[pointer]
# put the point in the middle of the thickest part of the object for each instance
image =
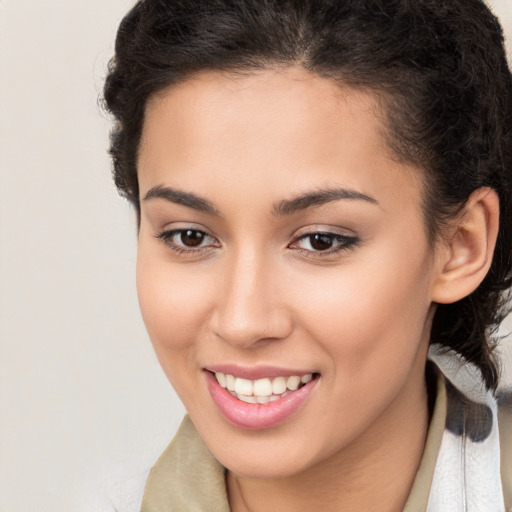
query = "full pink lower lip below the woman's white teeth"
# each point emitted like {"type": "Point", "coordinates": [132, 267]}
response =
{"type": "Point", "coordinates": [257, 416]}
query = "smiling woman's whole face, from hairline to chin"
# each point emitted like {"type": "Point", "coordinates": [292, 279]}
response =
{"type": "Point", "coordinates": [280, 241]}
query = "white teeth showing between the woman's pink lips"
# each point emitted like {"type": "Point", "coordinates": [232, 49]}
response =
{"type": "Point", "coordinates": [262, 391]}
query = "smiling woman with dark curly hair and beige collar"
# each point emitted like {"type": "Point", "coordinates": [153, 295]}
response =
{"type": "Point", "coordinates": [323, 190]}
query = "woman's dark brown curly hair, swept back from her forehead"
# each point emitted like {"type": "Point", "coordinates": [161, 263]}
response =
{"type": "Point", "coordinates": [438, 65]}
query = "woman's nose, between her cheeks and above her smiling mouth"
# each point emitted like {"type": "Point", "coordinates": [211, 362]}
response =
{"type": "Point", "coordinates": [250, 307]}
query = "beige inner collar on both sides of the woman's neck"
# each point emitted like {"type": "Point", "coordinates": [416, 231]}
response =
{"type": "Point", "coordinates": [188, 478]}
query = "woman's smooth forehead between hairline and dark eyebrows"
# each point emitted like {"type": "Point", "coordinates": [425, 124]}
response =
{"type": "Point", "coordinates": [285, 129]}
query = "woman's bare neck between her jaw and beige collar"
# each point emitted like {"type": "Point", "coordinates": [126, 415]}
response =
{"type": "Point", "coordinates": [375, 472]}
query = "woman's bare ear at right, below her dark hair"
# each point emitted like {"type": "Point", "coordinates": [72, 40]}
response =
{"type": "Point", "coordinates": [465, 255]}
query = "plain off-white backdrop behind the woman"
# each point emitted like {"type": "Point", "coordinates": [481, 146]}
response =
{"type": "Point", "coordinates": [83, 401]}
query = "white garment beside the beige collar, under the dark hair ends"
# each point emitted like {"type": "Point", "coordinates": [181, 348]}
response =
{"type": "Point", "coordinates": [467, 473]}
